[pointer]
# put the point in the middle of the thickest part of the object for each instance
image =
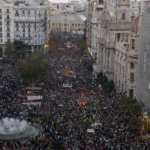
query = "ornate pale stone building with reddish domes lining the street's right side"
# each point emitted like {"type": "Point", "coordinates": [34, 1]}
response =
{"type": "Point", "coordinates": [115, 46]}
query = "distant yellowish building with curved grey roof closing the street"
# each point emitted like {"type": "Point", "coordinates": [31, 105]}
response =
{"type": "Point", "coordinates": [68, 22]}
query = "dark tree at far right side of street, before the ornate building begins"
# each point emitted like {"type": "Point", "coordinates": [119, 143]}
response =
{"type": "Point", "coordinates": [80, 42]}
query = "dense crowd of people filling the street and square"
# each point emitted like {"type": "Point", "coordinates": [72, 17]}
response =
{"type": "Point", "coordinates": [79, 115]}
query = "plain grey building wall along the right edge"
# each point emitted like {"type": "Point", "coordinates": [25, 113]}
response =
{"type": "Point", "coordinates": [143, 88]}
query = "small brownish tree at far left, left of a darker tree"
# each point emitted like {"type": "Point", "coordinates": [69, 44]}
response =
{"type": "Point", "coordinates": [9, 48]}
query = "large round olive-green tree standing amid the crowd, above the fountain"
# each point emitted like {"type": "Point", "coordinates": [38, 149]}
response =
{"type": "Point", "coordinates": [33, 67]}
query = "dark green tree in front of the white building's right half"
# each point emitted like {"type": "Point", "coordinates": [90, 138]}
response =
{"type": "Point", "coordinates": [20, 49]}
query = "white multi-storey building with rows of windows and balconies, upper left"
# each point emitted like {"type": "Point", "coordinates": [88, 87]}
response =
{"type": "Point", "coordinates": [25, 21]}
